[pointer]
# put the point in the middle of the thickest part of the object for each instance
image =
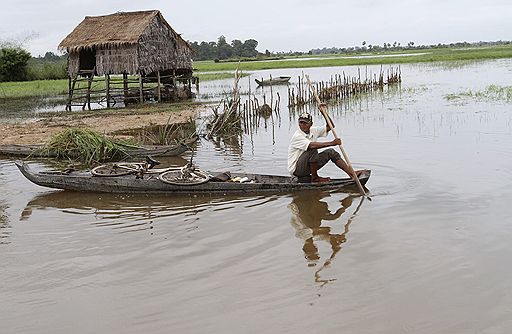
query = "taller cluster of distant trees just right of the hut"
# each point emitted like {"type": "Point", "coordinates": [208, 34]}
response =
{"type": "Point", "coordinates": [223, 50]}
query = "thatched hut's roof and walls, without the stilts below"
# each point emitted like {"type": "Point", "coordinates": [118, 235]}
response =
{"type": "Point", "coordinates": [131, 42]}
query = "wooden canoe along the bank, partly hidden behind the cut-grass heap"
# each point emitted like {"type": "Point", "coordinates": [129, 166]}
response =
{"type": "Point", "coordinates": [35, 151]}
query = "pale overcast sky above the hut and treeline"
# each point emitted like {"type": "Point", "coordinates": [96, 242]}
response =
{"type": "Point", "coordinates": [278, 25]}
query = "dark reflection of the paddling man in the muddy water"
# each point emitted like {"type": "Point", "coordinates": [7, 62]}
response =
{"type": "Point", "coordinates": [309, 213]}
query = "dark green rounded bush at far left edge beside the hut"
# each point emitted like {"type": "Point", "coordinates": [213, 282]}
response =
{"type": "Point", "coordinates": [13, 63]}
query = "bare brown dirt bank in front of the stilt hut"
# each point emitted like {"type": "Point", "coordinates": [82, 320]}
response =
{"type": "Point", "coordinates": [108, 122]}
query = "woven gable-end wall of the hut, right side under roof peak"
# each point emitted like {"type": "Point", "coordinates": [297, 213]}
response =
{"type": "Point", "coordinates": [160, 49]}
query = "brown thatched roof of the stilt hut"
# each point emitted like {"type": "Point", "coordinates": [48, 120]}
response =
{"type": "Point", "coordinates": [122, 28]}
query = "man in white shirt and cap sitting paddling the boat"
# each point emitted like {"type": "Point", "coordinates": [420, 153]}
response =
{"type": "Point", "coordinates": [304, 160]}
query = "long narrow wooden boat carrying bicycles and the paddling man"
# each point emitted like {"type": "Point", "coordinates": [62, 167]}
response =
{"type": "Point", "coordinates": [257, 183]}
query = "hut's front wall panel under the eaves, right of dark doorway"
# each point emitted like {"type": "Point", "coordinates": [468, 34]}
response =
{"type": "Point", "coordinates": [116, 59]}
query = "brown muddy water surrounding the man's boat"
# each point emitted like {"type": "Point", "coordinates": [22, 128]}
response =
{"type": "Point", "coordinates": [430, 253]}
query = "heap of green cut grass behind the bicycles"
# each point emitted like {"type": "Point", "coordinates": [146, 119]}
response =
{"type": "Point", "coordinates": [86, 146]}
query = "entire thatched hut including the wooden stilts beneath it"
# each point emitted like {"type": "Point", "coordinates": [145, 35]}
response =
{"type": "Point", "coordinates": [141, 46]}
